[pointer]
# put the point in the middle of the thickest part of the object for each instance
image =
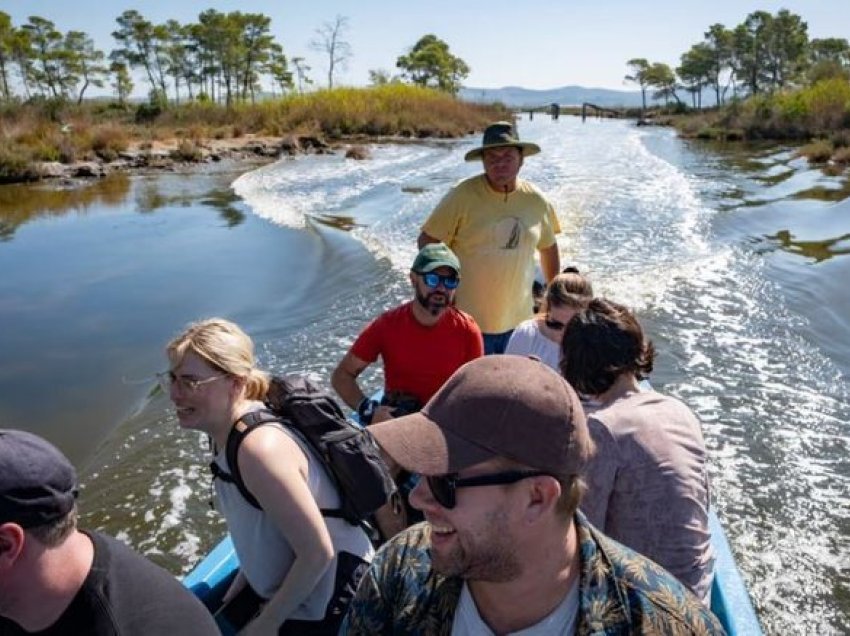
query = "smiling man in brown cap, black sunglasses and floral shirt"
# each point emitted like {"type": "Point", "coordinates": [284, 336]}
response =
{"type": "Point", "coordinates": [504, 548]}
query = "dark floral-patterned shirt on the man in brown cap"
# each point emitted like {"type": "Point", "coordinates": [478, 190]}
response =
{"type": "Point", "coordinates": [621, 592]}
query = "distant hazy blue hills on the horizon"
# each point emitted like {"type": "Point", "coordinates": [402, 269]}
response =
{"type": "Point", "coordinates": [518, 97]}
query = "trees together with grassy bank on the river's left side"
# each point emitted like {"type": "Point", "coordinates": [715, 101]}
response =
{"type": "Point", "coordinates": [207, 80]}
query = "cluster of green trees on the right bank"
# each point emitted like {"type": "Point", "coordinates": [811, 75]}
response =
{"type": "Point", "coordinates": [763, 54]}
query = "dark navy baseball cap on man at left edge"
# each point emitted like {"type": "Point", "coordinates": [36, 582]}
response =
{"type": "Point", "coordinates": [38, 484]}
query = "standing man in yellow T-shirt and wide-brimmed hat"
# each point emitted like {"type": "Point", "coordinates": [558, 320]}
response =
{"type": "Point", "coordinates": [495, 222]}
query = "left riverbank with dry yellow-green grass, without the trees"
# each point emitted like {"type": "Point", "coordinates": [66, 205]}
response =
{"type": "Point", "coordinates": [59, 140]}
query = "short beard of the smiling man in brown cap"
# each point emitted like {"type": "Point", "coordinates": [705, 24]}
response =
{"type": "Point", "coordinates": [488, 555]}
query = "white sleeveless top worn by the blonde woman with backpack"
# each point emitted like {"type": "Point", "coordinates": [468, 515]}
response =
{"type": "Point", "coordinates": [264, 554]}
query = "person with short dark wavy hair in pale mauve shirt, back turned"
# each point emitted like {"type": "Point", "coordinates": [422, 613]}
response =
{"type": "Point", "coordinates": [647, 483]}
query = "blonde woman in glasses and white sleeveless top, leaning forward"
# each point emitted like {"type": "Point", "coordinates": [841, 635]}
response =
{"type": "Point", "coordinates": [297, 568]}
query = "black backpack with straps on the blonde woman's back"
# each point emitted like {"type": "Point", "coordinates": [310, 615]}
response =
{"type": "Point", "coordinates": [348, 452]}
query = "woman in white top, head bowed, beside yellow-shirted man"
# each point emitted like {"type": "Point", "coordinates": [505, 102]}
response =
{"type": "Point", "coordinates": [541, 336]}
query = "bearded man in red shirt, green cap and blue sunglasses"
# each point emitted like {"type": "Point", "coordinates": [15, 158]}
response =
{"type": "Point", "coordinates": [421, 343]}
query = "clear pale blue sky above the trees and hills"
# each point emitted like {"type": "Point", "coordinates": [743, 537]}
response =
{"type": "Point", "coordinates": [537, 44]}
